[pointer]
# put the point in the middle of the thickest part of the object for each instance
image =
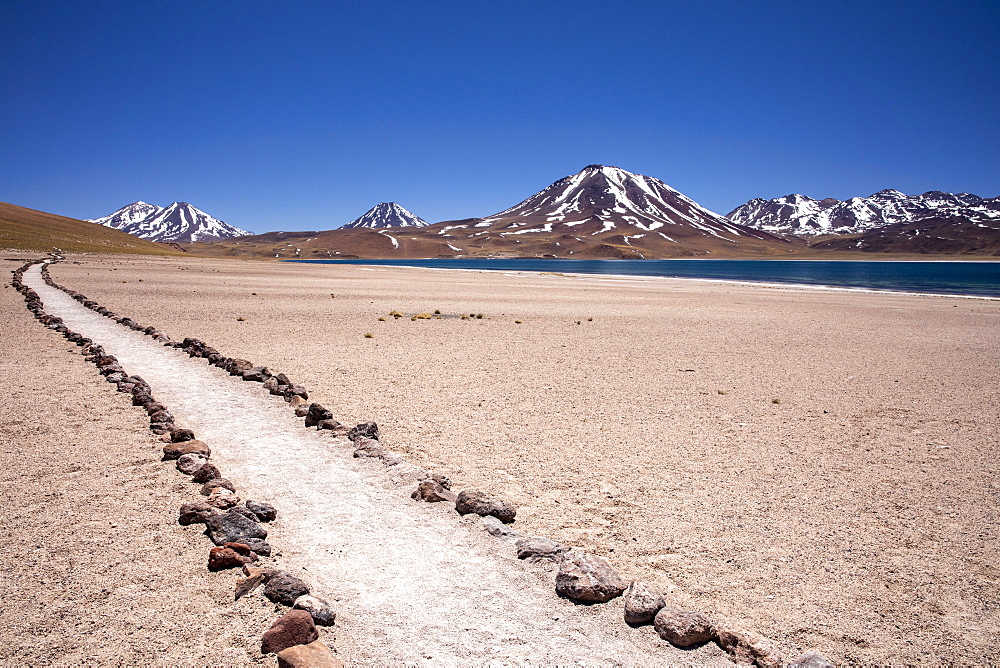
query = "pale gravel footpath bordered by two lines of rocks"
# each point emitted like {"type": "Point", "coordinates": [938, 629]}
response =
{"type": "Point", "coordinates": [413, 583]}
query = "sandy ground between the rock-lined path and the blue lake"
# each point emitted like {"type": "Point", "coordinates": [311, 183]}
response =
{"type": "Point", "coordinates": [818, 467]}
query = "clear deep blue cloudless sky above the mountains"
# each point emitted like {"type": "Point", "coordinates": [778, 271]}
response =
{"type": "Point", "coordinates": [302, 115]}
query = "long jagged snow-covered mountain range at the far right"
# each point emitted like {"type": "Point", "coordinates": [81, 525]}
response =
{"type": "Point", "coordinates": [801, 215]}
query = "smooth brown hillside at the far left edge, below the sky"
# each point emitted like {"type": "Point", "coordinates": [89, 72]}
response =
{"type": "Point", "coordinates": [27, 229]}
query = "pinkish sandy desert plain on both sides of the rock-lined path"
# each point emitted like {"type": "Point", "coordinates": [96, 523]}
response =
{"type": "Point", "coordinates": [815, 466]}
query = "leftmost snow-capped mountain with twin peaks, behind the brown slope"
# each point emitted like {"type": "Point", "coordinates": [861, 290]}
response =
{"type": "Point", "coordinates": [179, 222]}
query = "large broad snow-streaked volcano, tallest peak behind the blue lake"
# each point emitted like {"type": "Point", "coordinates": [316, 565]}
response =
{"type": "Point", "coordinates": [601, 199]}
